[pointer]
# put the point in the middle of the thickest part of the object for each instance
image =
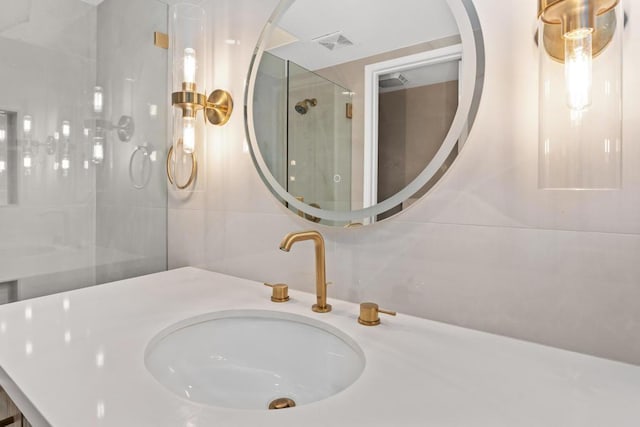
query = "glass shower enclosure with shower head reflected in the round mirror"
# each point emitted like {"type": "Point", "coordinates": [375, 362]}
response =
{"type": "Point", "coordinates": [305, 133]}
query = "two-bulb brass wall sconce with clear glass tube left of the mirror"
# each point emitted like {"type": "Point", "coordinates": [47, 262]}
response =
{"type": "Point", "coordinates": [188, 47]}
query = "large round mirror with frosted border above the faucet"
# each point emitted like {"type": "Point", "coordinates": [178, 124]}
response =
{"type": "Point", "coordinates": [356, 108]}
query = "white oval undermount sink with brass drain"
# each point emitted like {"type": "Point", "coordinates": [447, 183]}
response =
{"type": "Point", "coordinates": [249, 359]}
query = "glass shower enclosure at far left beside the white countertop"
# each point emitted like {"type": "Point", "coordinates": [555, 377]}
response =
{"type": "Point", "coordinates": [83, 196]}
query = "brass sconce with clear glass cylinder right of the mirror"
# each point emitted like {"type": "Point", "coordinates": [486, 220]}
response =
{"type": "Point", "coordinates": [580, 94]}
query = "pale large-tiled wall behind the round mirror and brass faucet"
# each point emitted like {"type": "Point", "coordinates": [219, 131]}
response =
{"type": "Point", "coordinates": [485, 249]}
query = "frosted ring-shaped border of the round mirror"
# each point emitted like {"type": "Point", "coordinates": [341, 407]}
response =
{"type": "Point", "coordinates": [473, 66]}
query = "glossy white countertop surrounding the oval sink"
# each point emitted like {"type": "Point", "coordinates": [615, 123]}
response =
{"type": "Point", "coordinates": [78, 358]}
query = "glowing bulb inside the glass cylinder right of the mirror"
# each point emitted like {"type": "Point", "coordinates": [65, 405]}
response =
{"type": "Point", "coordinates": [578, 68]}
